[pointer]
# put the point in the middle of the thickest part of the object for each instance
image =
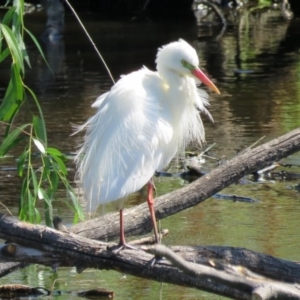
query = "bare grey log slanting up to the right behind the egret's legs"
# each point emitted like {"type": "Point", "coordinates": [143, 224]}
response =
{"type": "Point", "coordinates": [137, 219]}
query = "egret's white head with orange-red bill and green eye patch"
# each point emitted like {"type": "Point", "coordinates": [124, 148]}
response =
{"type": "Point", "coordinates": [182, 59]}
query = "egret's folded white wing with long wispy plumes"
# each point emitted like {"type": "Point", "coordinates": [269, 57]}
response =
{"type": "Point", "coordinates": [124, 139]}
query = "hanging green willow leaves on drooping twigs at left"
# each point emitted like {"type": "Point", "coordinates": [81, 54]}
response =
{"type": "Point", "coordinates": [40, 180]}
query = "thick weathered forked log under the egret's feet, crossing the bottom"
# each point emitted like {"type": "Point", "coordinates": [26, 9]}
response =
{"type": "Point", "coordinates": [232, 272]}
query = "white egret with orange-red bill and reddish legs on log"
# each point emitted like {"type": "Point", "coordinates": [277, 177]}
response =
{"type": "Point", "coordinates": [140, 124]}
